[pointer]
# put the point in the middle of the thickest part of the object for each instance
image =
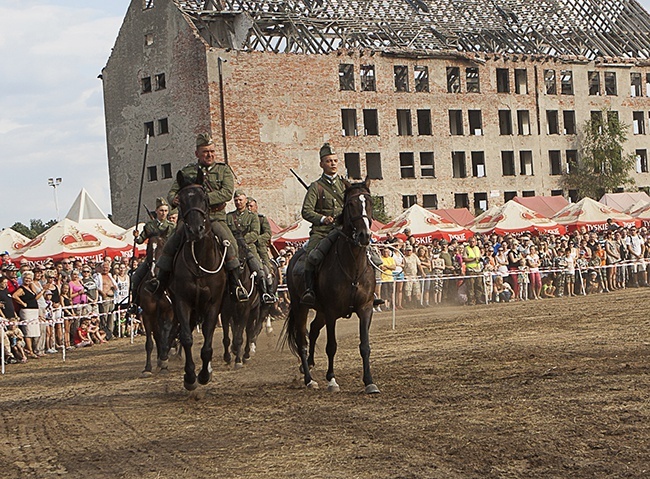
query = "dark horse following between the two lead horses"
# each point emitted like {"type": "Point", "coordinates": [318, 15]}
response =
{"type": "Point", "coordinates": [240, 317]}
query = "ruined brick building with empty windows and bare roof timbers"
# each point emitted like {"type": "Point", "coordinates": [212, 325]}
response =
{"type": "Point", "coordinates": [447, 103]}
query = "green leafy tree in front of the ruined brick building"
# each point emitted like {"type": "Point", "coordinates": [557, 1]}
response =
{"type": "Point", "coordinates": [603, 166]}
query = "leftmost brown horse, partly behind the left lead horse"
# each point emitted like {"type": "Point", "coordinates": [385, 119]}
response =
{"type": "Point", "coordinates": [157, 312]}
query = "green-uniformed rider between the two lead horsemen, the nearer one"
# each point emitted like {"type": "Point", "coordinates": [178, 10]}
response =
{"type": "Point", "coordinates": [245, 225]}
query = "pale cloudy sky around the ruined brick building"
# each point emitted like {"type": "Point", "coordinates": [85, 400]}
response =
{"type": "Point", "coordinates": [51, 104]}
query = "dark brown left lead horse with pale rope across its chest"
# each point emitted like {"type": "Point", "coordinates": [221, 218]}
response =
{"type": "Point", "coordinates": [198, 280]}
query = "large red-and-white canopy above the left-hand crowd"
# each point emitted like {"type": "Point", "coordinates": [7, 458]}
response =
{"type": "Point", "coordinates": [69, 239]}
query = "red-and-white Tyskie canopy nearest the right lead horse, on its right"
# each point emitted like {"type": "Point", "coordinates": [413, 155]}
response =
{"type": "Point", "coordinates": [425, 226]}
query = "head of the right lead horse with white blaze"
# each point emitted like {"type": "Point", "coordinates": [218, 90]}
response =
{"type": "Point", "coordinates": [357, 212]}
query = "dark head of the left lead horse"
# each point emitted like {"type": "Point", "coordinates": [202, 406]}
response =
{"type": "Point", "coordinates": [193, 206]}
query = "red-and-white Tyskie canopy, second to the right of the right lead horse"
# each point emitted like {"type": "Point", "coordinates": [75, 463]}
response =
{"type": "Point", "coordinates": [514, 218]}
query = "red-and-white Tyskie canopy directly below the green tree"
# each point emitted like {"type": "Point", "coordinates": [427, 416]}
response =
{"type": "Point", "coordinates": [592, 215]}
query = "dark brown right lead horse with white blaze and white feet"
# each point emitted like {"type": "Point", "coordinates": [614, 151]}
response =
{"type": "Point", "coordinates": [345, 285]}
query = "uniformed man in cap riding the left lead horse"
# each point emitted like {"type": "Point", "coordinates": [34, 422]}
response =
{"type": "Point", "coordinates": [219, 183]}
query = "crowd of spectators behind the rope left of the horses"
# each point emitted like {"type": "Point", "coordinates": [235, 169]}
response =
{"type": "Point", "coordinates": [67, 304]}
